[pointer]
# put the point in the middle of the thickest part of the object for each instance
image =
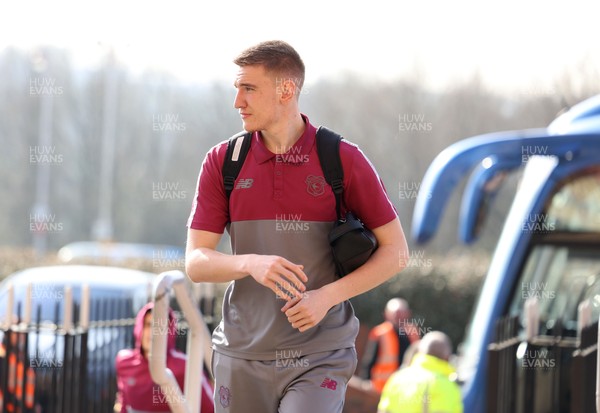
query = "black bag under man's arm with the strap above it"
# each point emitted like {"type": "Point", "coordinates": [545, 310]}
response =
{"type": "Point", "coordinates": [351, 242]}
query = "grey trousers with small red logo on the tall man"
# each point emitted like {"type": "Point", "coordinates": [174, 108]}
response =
{"type": "Point", "coordinates": [290, 384]}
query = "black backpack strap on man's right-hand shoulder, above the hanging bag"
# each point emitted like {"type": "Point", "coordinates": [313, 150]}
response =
{"type": "Point", "coordinates": [328, 149]}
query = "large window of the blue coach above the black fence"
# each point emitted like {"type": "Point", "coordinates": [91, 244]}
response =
{"type": "Point", "coordinates": [563, 265]}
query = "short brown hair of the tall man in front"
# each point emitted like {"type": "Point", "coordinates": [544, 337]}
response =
{"type": "Point", "coordinates": [276, 56]}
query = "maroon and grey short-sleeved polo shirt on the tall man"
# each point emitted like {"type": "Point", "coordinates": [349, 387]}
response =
{"type": "Point", "coordinates": [281, 205]}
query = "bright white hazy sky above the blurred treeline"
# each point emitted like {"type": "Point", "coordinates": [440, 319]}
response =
{"type": "Point", "coordinates": [511, 45]}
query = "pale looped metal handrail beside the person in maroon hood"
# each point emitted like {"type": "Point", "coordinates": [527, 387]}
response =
{"type": "Point", "coordinates": [198, 336]}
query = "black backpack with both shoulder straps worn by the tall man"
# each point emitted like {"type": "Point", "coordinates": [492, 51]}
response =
{"type": "Point", "coordinates": [351, 243]}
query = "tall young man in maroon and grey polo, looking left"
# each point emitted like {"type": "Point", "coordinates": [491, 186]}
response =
{"type": "Point", "coordinates": [286, 341]}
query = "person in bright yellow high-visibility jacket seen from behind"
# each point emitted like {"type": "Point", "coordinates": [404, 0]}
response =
{"type": "Point", "coordinates": [427, 385]}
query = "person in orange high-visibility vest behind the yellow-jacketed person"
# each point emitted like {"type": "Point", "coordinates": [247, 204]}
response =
{"type": "Point", "coordinates": [387, 344]}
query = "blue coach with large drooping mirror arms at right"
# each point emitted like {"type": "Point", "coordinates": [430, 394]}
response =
{"type": "Point", "coordinates": [531, 343]}
